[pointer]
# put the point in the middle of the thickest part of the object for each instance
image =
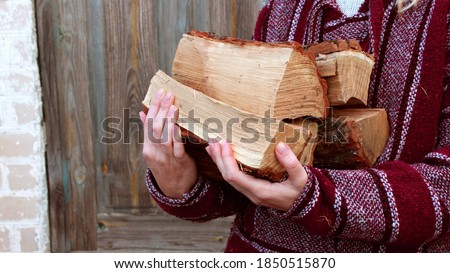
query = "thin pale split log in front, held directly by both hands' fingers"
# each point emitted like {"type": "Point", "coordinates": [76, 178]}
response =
{"type": "Point", "coordinates": [254, 138]}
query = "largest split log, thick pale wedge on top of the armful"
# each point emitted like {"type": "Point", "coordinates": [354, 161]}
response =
{"type": "Point", "coordinates": [257, 77]}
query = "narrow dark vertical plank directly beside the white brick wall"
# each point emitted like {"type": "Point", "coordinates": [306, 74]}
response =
{"type": "Point", "coordinates": [46, 24]}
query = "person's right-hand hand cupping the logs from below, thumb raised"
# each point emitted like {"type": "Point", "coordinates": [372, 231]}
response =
{"type": "Point", "coordinates": [279, 196]}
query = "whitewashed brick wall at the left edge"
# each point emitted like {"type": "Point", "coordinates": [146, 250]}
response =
{"type": "Point", "coordinates": [23, 188]}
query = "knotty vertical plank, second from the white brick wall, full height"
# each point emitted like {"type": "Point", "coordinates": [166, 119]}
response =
{"type": "Point", "coordinates": [78, 157]}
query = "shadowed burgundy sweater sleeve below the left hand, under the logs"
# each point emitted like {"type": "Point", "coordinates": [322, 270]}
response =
{"type": "Point", "coordinates": [207, 200]}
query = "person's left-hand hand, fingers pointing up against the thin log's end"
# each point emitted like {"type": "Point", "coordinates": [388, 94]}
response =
{"type": "Point", "coordinates": [174, 170]}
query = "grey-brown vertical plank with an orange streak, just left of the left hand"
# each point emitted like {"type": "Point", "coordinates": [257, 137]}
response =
{"type": "Point", "coordinates": [130, 61]}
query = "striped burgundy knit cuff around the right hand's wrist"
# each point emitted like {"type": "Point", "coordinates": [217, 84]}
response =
{"type": "Point", "coordinates": [305, 201]}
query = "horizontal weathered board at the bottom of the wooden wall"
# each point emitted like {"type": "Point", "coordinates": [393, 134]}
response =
{"type": "Point", "coordinates": [160, 233]}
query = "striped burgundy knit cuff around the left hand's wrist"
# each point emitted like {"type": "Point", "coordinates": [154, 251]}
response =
{"type": "Point", "coordinates": [188, 199]}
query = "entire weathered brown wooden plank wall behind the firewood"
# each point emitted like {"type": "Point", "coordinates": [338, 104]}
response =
{"type": "Point", "coordinates": [97, 58]}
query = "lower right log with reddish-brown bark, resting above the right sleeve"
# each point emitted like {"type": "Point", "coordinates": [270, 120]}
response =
{"type": "Point", "coordinates": [351, 139]}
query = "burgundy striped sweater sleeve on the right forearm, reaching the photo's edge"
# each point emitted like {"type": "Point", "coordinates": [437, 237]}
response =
{"type": "Point", "coordinates": [395, 203]}
